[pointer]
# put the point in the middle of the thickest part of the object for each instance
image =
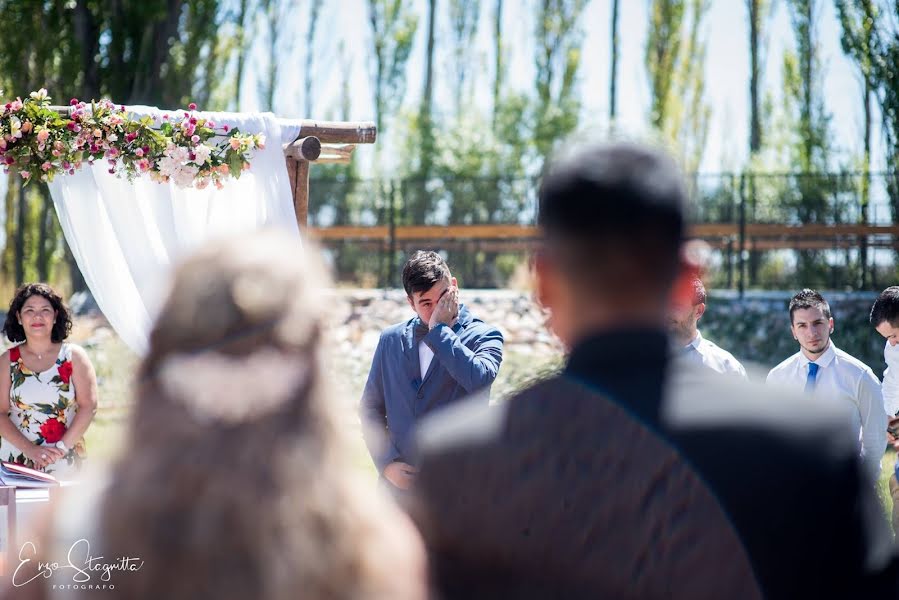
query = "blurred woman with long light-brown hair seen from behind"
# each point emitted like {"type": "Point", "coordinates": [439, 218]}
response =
{"type": "Point", "coordinates": [236, 479]}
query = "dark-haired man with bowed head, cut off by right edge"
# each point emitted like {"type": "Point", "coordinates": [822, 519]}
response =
{"type": "Point", "coordinates": [885, 319]}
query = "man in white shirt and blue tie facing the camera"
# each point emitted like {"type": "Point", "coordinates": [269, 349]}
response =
{"type": "Point", "coordinates": [821, 368]}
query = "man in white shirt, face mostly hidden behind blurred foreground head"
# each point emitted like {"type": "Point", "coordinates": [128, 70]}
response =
{"type": "Point", "coordinates": [688, 341]}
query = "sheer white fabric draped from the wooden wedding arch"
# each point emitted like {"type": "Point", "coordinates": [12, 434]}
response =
{"type": "Point", "coordinates": [125, 236]}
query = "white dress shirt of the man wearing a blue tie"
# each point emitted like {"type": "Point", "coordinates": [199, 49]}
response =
{"type": "Point", "coordinates": [848, 379]}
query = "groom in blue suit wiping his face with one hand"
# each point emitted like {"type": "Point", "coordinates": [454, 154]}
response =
{"type": "Point", "coordinates": [437, 358]}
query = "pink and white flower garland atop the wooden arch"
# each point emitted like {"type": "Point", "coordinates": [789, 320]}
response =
{"type": "Point", "coordinates": [39, 143]}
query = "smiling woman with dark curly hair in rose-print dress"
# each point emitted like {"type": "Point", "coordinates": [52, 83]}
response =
{"type": "Point", "coordinates": [52, 388]}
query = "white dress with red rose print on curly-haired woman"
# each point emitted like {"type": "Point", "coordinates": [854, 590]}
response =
{"type": "Point", "coordinates": [42, 405]}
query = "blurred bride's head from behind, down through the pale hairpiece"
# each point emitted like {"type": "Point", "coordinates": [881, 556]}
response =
{"type": "Point", "coordinates": [236, 344]}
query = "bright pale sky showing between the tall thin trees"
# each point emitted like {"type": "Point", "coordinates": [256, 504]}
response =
{"type": "Point", "coordinates": [727, 69]}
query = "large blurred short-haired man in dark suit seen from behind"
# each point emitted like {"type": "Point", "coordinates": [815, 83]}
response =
{"type": "Point", "coordinates": [573, 481]}
